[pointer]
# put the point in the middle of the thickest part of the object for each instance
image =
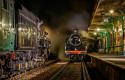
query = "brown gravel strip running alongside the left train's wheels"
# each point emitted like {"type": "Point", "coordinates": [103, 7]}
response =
{"type": "Point", "coordinates": [28, 75]}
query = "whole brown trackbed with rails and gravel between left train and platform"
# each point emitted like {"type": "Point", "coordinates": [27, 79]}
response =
{"type": "Point", "coordinates": [60, 71]}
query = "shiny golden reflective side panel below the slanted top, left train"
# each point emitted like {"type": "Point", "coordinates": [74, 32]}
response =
{"type": "Point", "coordinates": [26, 34]}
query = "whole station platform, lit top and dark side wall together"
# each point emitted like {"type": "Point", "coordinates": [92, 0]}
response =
{"type": "Point", "coordinates": [111, 66]}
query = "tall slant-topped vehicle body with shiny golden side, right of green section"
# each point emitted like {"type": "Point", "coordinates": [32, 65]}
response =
{"type": "Point", "coordinates": [26, 28]}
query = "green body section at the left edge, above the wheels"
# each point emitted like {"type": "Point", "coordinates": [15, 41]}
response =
{"type": "Point", "coordinates": [7, 34]}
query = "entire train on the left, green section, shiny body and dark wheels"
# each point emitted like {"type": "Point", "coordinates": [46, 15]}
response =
{"type": "Point", "coordinates": [23, 46]}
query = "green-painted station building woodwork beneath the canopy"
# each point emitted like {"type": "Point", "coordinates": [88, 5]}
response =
{"type": "Point", "coordinates": [108, 28]}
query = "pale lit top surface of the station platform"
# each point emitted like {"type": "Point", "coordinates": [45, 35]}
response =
{"type": "Point", "coordinates": [116, 60]}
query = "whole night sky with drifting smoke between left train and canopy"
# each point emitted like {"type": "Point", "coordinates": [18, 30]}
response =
{"type": "Point", "coordinates": [61, 16]}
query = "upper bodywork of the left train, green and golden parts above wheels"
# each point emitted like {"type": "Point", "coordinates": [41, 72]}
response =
{"type": "Point", "coordinates": [18, 26]}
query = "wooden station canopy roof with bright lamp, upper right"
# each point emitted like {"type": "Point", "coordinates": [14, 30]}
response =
{"type": "Point", "coordinates": [105, 8]}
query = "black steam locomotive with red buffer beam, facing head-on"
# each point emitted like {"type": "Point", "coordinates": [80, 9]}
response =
{"type": "Point", "coordinates": [75, 46]}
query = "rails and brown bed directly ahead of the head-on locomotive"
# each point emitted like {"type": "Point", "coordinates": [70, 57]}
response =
{"type": "Point", "coordinates": [72, 71]}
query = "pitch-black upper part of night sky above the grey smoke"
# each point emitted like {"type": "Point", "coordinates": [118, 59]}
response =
{"type": "Point", "coordinates": [49, 10]}
